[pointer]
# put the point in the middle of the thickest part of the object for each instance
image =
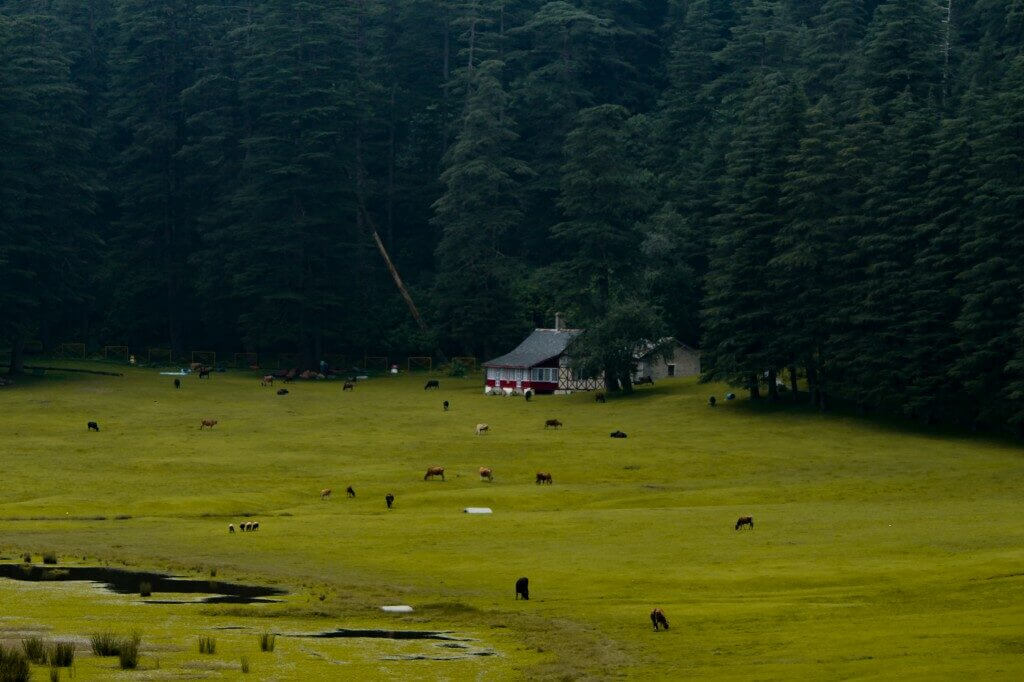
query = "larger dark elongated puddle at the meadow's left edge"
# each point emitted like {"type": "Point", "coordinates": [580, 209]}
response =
{"type": "Point", "coordinates": [161, 586]}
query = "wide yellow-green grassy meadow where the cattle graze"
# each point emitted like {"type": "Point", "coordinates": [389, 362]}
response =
{"type": "Point", "coordinates": [879, 551]}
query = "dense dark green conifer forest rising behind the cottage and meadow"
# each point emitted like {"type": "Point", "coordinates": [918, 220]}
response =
{"type": "Point", "coordinates": [830, 190]}
